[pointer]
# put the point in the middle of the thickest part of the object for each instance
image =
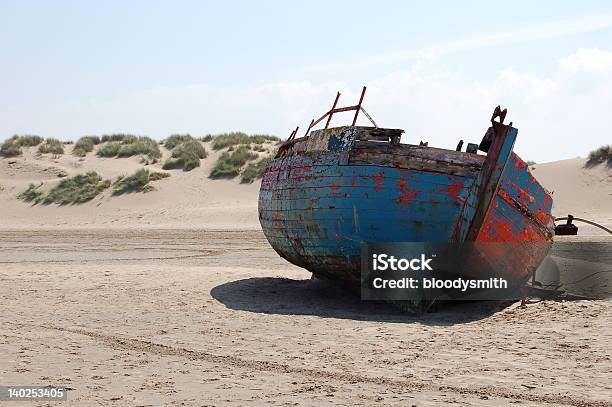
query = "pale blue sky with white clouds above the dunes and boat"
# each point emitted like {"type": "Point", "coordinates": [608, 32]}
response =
{"type": "Point", "coordinates": [69, 68]}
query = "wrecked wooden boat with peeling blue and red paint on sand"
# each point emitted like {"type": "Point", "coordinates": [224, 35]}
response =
{"type": "Point", "coordinates": [330, 191]}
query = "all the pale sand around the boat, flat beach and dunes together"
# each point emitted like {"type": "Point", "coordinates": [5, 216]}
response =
{"type": "Point", "coordinates": [175, 298]}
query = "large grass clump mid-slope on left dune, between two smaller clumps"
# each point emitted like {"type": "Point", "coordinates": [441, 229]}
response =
{"type": "Point", "coordinates": [77, 189]}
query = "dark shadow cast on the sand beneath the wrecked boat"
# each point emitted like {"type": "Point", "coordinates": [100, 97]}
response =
{"type": "Point", "coordinates": [283, 296]}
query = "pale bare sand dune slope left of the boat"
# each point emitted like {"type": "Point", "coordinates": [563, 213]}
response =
{"type": "Point", "coordinates": [185, 199]}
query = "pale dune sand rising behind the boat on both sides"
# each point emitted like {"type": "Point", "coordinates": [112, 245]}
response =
{"type": "Point", "coordinates": [191, 199]}
